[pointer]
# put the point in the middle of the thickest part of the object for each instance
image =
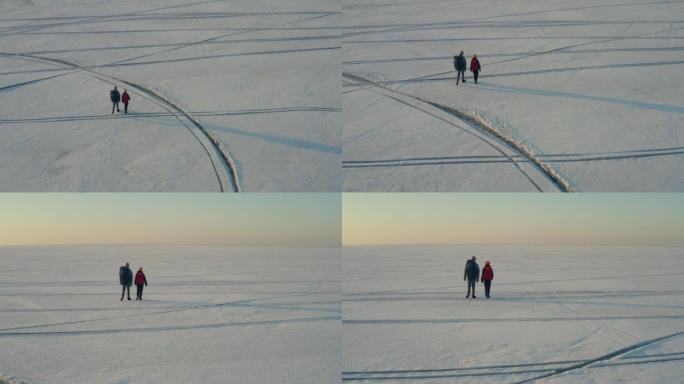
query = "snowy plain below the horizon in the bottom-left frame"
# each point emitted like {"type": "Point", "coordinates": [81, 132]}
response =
{"type": "Point", "coordinates": [209, 315]}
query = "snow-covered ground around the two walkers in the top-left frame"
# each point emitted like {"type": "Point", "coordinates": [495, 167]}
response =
{"type": "Point", "coordinates": [261, 77]}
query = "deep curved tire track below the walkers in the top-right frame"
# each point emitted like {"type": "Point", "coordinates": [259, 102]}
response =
{"type": "Point", "coordinates": [477, 122]}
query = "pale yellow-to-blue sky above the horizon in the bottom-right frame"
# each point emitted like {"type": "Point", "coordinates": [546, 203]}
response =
{"type": "Point", "coordinates": [513, 219]}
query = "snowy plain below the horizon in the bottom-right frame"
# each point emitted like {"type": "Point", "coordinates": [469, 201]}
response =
{"type": "Point", "coordinates": [574, 314]}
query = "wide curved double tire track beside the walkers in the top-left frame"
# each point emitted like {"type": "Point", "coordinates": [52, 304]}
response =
{"type": "Point", "coordinates": [225, 158]}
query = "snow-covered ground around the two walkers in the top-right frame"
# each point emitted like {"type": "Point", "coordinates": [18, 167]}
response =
{"type": "Point", "coordinates": [593, 88]}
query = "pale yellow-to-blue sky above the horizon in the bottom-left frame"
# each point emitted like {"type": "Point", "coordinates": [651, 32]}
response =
{"type": "Point", "coordinates": [265, 219]}
